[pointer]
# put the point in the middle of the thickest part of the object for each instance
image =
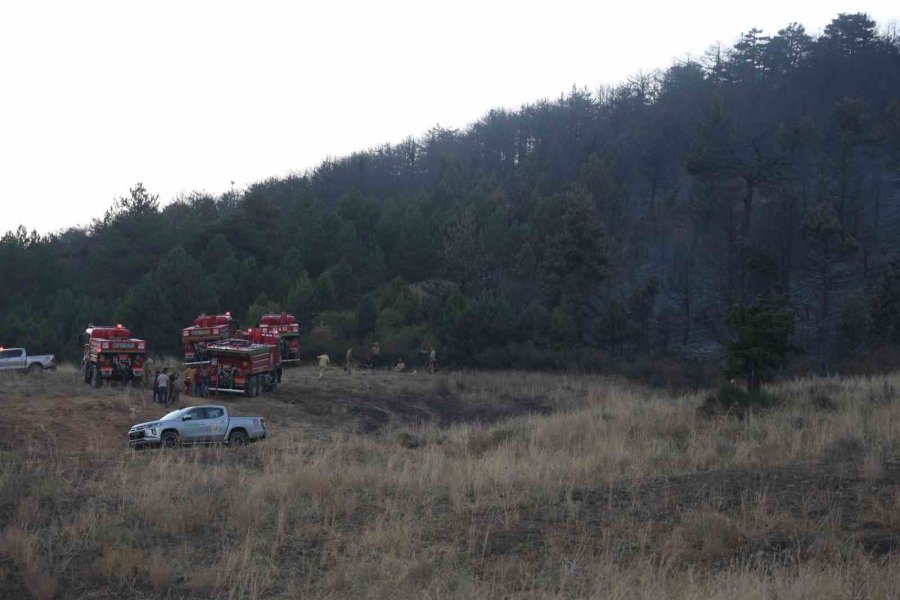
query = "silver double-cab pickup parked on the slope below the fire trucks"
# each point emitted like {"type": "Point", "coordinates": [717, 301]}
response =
{"type": "Point", "coordinates": [197, 425]}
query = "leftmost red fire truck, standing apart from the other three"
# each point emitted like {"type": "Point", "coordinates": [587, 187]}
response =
{"type": "Point", "coordinates": [111, 353]}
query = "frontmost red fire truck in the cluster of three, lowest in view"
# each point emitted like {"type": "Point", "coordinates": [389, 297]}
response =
{"type": "Point", "coordinates": [245, 366]}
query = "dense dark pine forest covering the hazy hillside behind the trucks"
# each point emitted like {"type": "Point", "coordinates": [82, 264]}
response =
{"type": "Point", "coordinates": [602, 229]}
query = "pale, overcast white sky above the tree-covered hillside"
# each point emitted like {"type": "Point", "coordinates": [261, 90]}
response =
{"type": "Point", "coordinates": [193, 95]}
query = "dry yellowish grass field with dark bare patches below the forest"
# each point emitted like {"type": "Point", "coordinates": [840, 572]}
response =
{"type": "Point", "coordinates": [464, 485]}
